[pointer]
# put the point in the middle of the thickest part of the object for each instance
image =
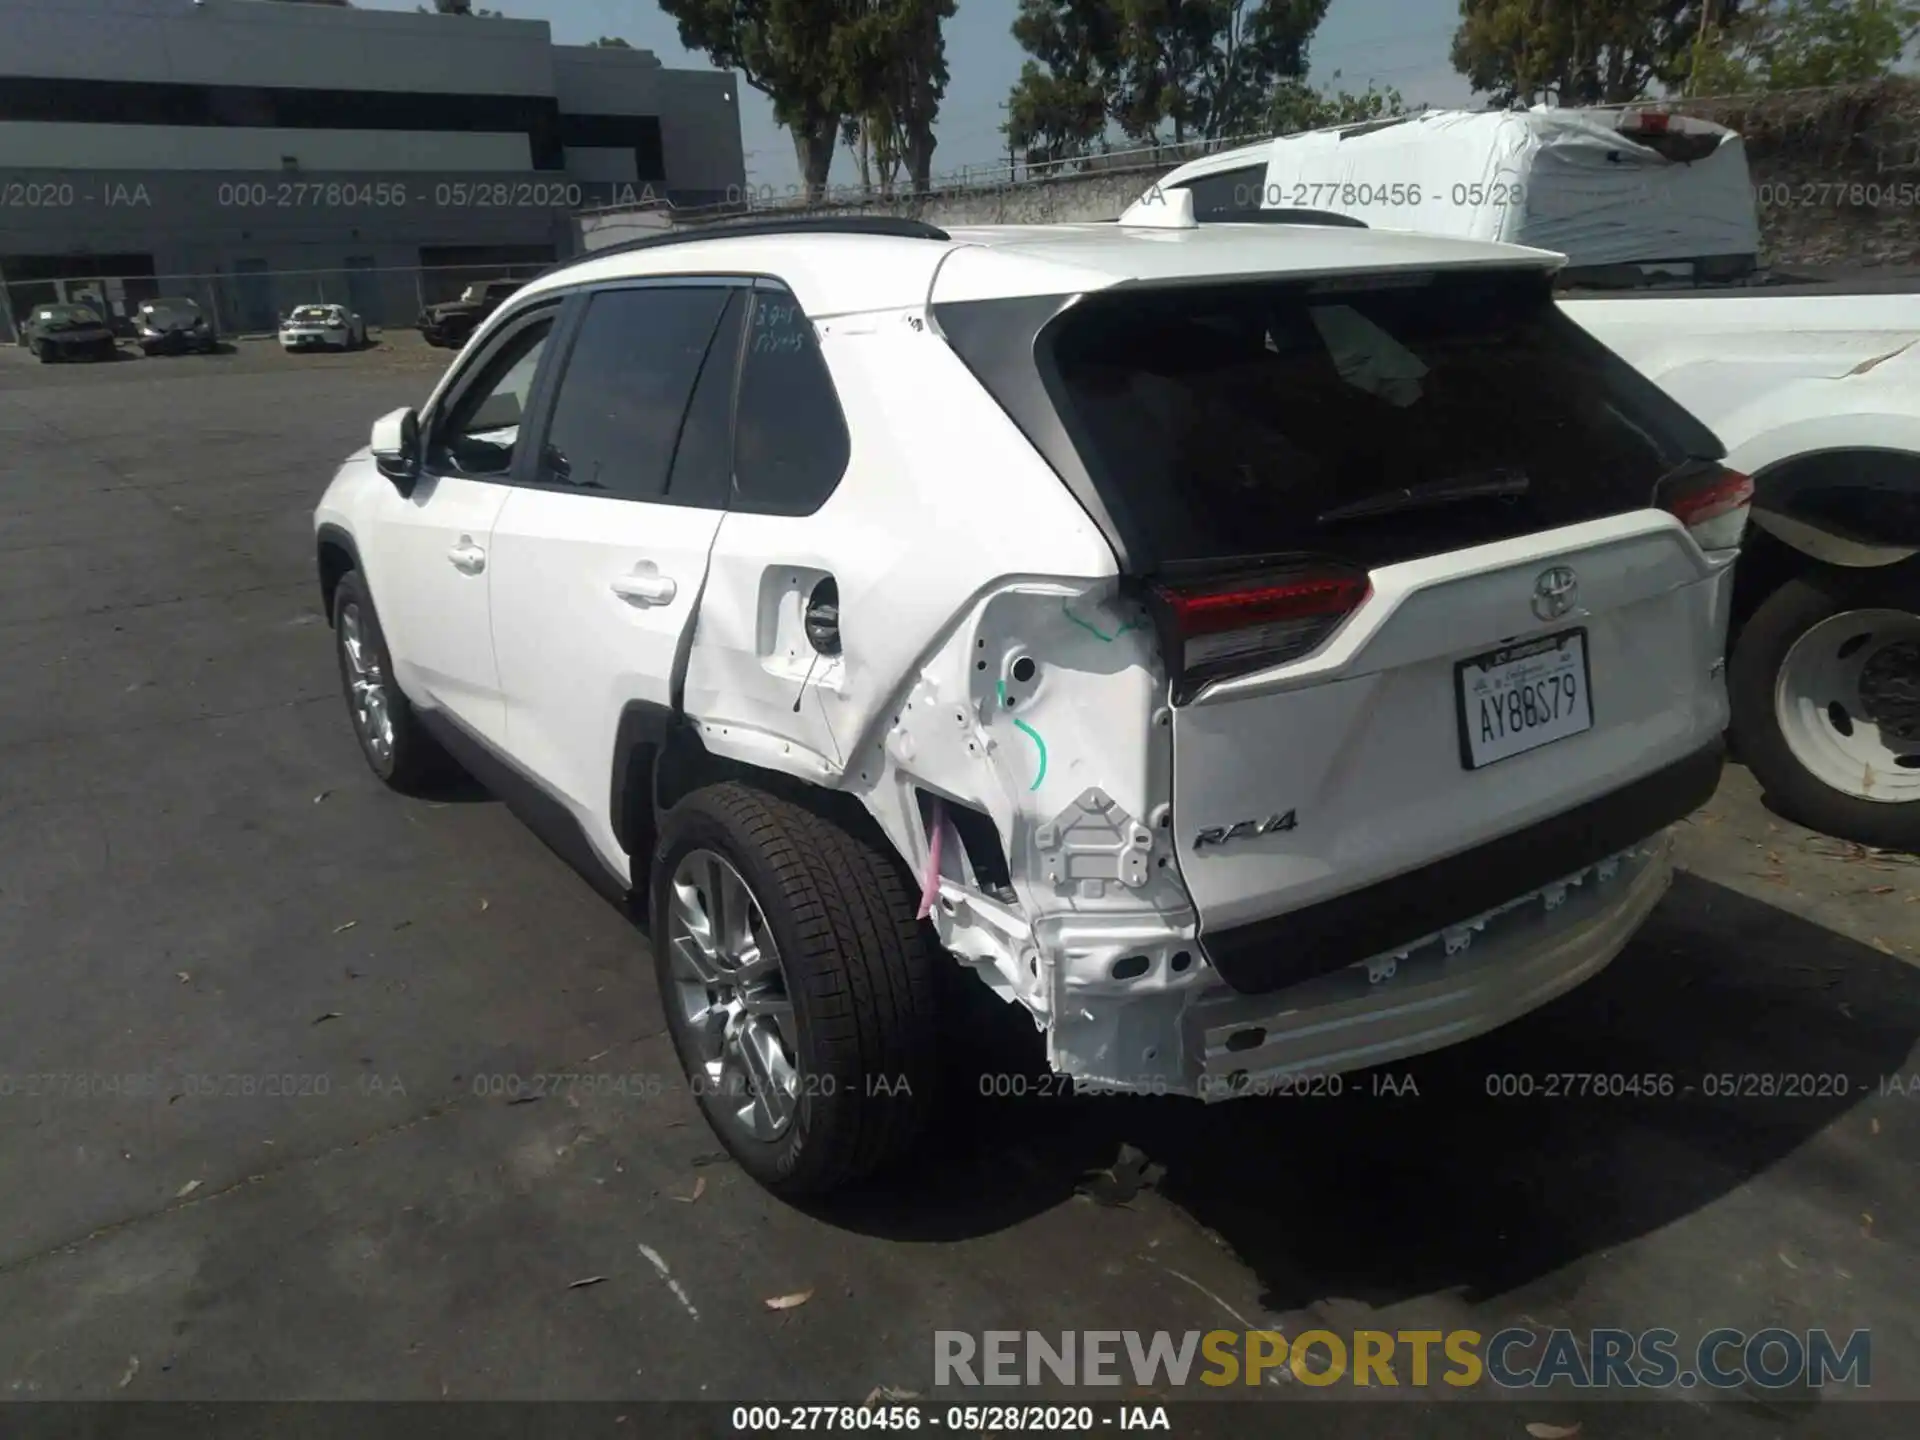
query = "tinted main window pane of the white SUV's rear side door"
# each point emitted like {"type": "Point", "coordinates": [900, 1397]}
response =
{"type": "Point", "coordinates": [627, 387]}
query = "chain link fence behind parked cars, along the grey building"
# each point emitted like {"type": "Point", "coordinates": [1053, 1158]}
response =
{"type": "Point", "coordinates": [245, 302]}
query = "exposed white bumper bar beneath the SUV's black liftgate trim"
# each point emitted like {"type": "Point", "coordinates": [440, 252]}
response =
{"type": "Point", "coordinates": [1449, 990]}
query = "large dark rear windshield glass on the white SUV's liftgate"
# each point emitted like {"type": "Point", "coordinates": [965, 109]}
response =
{"type": "Point", "coordinates": [1376, 423]}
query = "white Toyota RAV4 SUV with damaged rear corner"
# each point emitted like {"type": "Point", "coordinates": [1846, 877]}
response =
{"type": "Point", "coordinates": [1257, 650]}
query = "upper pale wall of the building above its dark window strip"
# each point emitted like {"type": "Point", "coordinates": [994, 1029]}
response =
{"type": "Point", "coordinates": [276, 45]}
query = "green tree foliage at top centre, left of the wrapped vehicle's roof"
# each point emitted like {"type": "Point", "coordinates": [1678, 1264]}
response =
{"type": "Point", "coordinates": [1153, 68]}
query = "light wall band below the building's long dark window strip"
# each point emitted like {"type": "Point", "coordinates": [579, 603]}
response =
{"type": "Point", "coordinates": [254, 149]}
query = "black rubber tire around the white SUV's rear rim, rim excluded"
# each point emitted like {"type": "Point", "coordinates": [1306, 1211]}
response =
{"type": "Point", "coordinates": [859, 971]}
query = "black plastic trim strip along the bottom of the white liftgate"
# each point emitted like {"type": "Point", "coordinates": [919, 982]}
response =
{"type": "Point", "coordinates": [1282, 951]}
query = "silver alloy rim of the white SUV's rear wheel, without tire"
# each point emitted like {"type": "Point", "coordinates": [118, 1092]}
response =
{"type": "Point", "coordinates": [732, 996]}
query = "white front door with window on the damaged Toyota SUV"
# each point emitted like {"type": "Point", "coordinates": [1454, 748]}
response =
{"type": "Point", "coordinates": [433, 567]}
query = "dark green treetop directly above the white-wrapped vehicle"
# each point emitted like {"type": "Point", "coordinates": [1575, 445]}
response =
{"type": "Point", "coordinates": [1577, 53]}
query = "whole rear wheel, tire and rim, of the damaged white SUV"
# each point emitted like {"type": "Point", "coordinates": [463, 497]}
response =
{"type": "Point", "coordinates": [798, 986]}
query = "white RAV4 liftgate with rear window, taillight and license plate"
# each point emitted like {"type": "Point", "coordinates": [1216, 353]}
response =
{"type": "Point", "coordinates": [1403, 544]}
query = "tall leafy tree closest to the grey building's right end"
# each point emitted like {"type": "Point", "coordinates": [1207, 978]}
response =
{"type": "Point", "coordinates": [788, 53]}
